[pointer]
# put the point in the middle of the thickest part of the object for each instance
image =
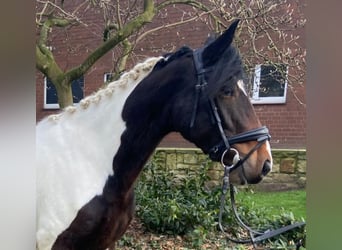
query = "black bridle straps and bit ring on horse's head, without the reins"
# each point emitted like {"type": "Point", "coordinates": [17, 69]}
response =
{"type": "Point", "coordinates": [218, 151]}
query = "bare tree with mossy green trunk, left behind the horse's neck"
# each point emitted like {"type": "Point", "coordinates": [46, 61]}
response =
{"type": "Point", "coordinates": [120, 25]}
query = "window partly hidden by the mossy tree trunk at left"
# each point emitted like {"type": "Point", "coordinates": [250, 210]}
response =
{"type": "Point", "coordinates": [50, 93]}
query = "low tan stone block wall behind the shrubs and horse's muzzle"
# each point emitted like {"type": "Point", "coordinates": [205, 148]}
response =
{"type": "Point", "coordinates": [289, 168]}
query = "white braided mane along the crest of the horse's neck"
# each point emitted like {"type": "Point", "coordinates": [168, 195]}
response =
{"type": "Point", "coordinates": [131, 78]}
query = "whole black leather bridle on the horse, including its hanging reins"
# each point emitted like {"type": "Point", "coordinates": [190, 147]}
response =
{"type": "Point", "coordinates": [218, 152]}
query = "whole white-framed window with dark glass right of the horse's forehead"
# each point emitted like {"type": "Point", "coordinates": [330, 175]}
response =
{"type": "Point", "coordinates": [269, 84]}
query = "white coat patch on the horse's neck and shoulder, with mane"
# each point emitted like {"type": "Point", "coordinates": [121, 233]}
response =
{"type": "Point", "coordinates": [74, 153]}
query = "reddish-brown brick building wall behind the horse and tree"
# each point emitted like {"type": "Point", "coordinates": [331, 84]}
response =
{"type": "Point", "coordinates": [287, 122]}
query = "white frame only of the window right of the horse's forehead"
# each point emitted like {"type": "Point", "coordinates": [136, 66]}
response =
{"type": "Point", "coordinates": [256, 99]}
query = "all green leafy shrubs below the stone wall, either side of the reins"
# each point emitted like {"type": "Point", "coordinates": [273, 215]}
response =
{"type": "Point", "coordinates": [172, 204]}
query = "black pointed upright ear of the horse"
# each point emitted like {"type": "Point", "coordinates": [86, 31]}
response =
{"type": "Point", "coordinates": [214, 50]}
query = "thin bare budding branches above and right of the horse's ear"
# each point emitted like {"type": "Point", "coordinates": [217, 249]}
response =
{"type": "Point", "coordinates": [269, 34]}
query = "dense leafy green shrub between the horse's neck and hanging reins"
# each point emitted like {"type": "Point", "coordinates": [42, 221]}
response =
{"type": "Point", "coordinates": [168, 203]}
